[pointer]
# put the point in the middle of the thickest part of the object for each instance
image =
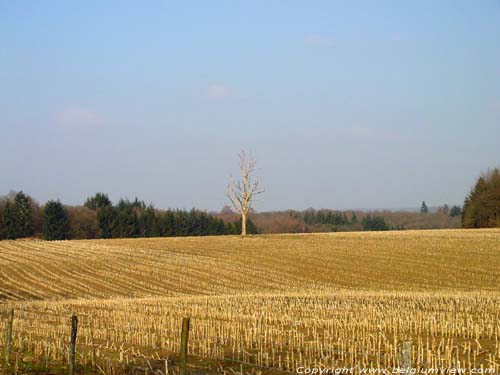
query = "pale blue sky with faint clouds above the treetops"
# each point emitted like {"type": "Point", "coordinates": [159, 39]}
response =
{"type": "Point", "coordinates": [345, 104]}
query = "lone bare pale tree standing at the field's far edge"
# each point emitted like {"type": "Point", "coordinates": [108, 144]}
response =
{"type": "Point", "coordinates": [241, 193]}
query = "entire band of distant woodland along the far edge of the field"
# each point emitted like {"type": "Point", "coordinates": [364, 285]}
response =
{"type": "Point", "coordinates": [21, 216]}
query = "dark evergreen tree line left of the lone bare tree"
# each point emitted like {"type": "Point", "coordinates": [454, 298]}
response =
{"type": "Point", "coordinates": [21, 216]}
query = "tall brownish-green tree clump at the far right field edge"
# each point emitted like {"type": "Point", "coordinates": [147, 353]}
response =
{"type": "Point", "coordinates": [482, 206]}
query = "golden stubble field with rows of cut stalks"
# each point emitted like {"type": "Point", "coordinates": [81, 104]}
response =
{"type": "Point", "coordinates": [260, 304]}
